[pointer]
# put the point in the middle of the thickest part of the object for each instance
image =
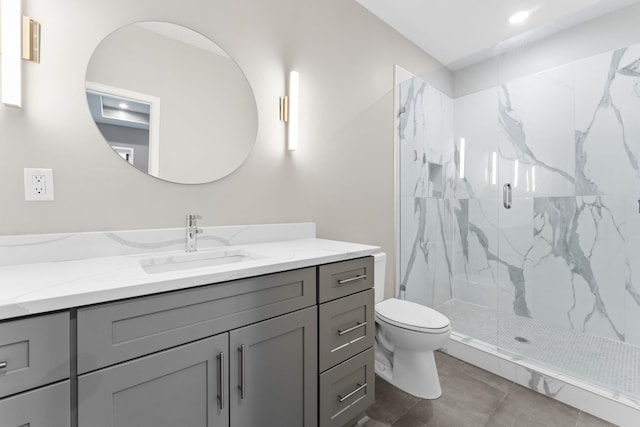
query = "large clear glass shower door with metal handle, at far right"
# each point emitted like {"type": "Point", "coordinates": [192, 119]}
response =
{"type": "Point", "coordinates": [569, 143]}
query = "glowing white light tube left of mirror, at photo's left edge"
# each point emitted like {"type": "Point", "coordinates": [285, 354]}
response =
{"type": "Point", "coordinates": [11, 48]}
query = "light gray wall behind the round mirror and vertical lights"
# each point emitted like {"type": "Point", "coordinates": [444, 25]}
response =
{"type": "Point", "coordinates": [341, 177]}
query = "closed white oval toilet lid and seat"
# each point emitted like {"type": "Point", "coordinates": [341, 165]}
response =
{"type": "Point", "coordinates": [410, 315]}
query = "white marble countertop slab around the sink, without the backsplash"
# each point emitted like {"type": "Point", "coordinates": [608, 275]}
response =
{"type": "Point", "coordinates": [27, 289]}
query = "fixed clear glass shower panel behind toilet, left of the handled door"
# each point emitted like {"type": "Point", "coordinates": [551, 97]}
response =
{"type": "Point", "coordinates": [448, 204]}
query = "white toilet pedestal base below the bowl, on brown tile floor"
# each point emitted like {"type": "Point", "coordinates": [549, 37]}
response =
{"type": "Point", "coordinates": [416, 373]}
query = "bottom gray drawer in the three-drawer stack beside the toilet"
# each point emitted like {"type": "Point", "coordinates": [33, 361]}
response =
{"type": "Point", "coordinates": [347, 390]}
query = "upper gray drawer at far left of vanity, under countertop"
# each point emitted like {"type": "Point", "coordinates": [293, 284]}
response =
{"type": "Point", "coordinates": [33, 352]}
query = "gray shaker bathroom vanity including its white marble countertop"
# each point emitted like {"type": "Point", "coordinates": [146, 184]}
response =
{"type": "Point", "coordinates": [280, 339]}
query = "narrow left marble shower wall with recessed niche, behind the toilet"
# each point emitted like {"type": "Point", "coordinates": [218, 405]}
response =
{"type": "Point", "coordinates": [427, 170]}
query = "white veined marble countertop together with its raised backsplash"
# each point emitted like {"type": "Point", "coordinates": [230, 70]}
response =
{"type": "Point", "coordinates": [61, 282]}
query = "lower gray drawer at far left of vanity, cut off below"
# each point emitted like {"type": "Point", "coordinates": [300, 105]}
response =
{"type": "Point", "coordinates": [44, 407]}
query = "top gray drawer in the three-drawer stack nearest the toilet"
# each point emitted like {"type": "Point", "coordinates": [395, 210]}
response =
{"type": "Point", "coordinates": [344, 278]}
